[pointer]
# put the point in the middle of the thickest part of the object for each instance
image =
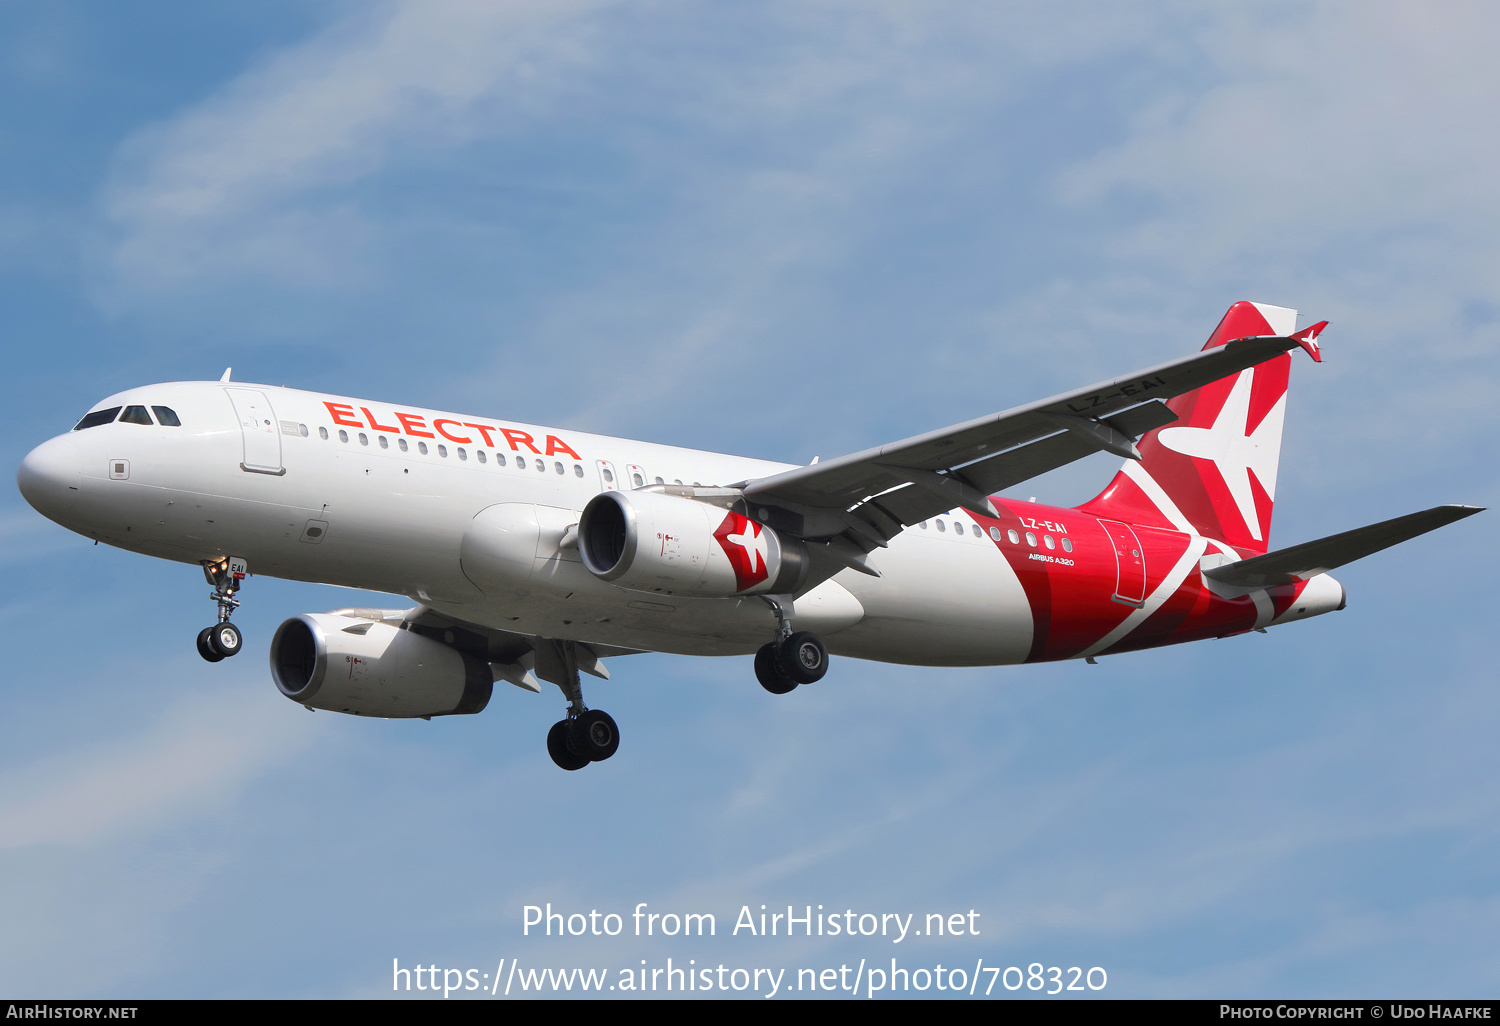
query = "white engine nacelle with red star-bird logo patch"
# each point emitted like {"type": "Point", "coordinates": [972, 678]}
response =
{"type": "Point", "coordinates": [680, 547]}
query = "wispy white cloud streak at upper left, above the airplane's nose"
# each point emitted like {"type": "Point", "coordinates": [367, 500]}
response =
{"type": "Point", "coordinates": [217, 188]}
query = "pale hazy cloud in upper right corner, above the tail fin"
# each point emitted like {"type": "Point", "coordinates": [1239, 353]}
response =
{"type": "Point", "coordinates": [1330, 130]}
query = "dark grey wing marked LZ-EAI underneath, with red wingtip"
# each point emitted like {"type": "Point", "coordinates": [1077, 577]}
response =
{"type": "Point", "coordinates": [866, 499]}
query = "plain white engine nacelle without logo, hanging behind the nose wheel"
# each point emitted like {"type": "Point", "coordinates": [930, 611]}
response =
{"type": "Point", "coordinates": [373, 668]}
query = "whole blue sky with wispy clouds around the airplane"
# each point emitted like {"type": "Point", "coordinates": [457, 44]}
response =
{"type": "Point", "coordinates": [776, 230]}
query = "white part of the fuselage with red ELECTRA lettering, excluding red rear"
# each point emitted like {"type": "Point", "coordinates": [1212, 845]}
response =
{"type": "Point", "coordinates": [448, 509]}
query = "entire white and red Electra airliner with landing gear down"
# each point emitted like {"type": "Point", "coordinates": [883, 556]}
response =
{"type": "Point", "coordinates": [535, 554]}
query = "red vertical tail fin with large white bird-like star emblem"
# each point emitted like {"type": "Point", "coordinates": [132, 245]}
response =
{"type": "Point", "coordinates": [1214, 472]}
